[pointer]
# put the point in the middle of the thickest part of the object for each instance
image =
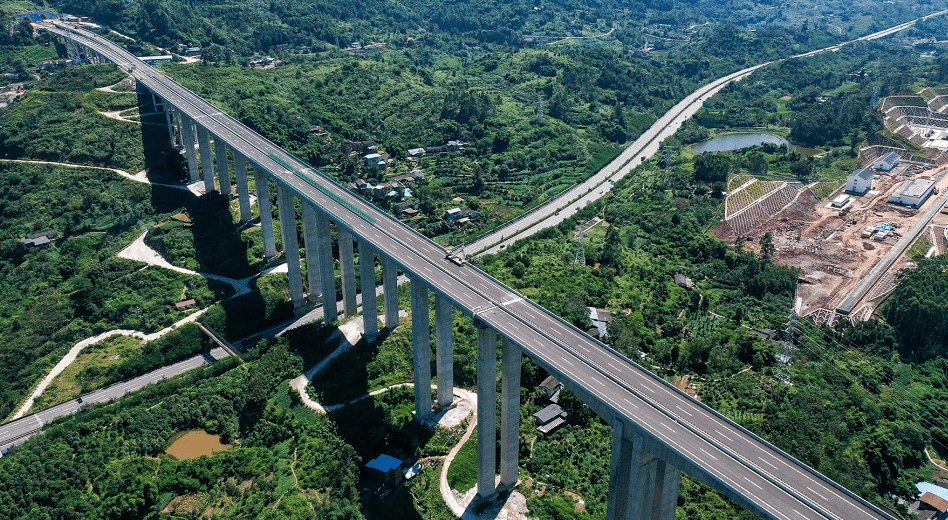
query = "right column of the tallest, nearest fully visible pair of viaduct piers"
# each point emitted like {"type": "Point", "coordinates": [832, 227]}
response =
{"type": "Point", "coordinates": [509, 414]}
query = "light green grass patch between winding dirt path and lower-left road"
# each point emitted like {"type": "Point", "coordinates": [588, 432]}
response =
{"type": "Point", "coordinates": [88, 369]}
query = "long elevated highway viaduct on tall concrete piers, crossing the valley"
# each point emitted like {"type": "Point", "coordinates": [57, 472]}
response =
{"type": "Point", "coordinates": [658, 430]}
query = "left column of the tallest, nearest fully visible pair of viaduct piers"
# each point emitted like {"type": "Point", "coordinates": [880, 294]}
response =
{"type": "Point", "coordinates": [486, 409]}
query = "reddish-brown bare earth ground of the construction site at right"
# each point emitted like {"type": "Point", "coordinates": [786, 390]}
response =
{"type": "Point", "coordinates": [826, 243]}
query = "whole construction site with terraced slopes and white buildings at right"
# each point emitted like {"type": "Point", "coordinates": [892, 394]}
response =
{"type": "Point", "coordinates": [850, 245]}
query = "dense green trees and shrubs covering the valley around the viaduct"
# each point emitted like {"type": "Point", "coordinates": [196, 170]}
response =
{"type": "Point", "coordinates": [863, 402]}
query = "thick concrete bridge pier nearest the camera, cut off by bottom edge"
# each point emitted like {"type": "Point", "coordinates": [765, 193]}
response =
{"type": "Point", "coordinates": [641, 485]}
